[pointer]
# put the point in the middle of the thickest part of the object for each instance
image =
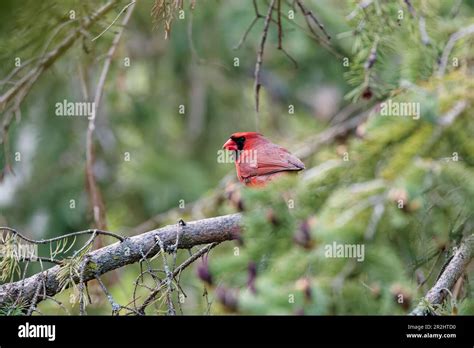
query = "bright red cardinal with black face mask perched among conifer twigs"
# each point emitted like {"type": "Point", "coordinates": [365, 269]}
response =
{"type": "Point", "coordinates": [259, 161]}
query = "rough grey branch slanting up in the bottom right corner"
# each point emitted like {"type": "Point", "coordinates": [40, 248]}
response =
{"type": "Point", "coordinates": [448, 278]}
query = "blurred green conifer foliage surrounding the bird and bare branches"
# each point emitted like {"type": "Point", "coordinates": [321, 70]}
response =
{"type": "Point", "coordinates": [173, 156]}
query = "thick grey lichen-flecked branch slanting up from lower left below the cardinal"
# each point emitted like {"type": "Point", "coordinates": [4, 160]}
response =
{"type": "Point", "coordinates": [129, 251]}
